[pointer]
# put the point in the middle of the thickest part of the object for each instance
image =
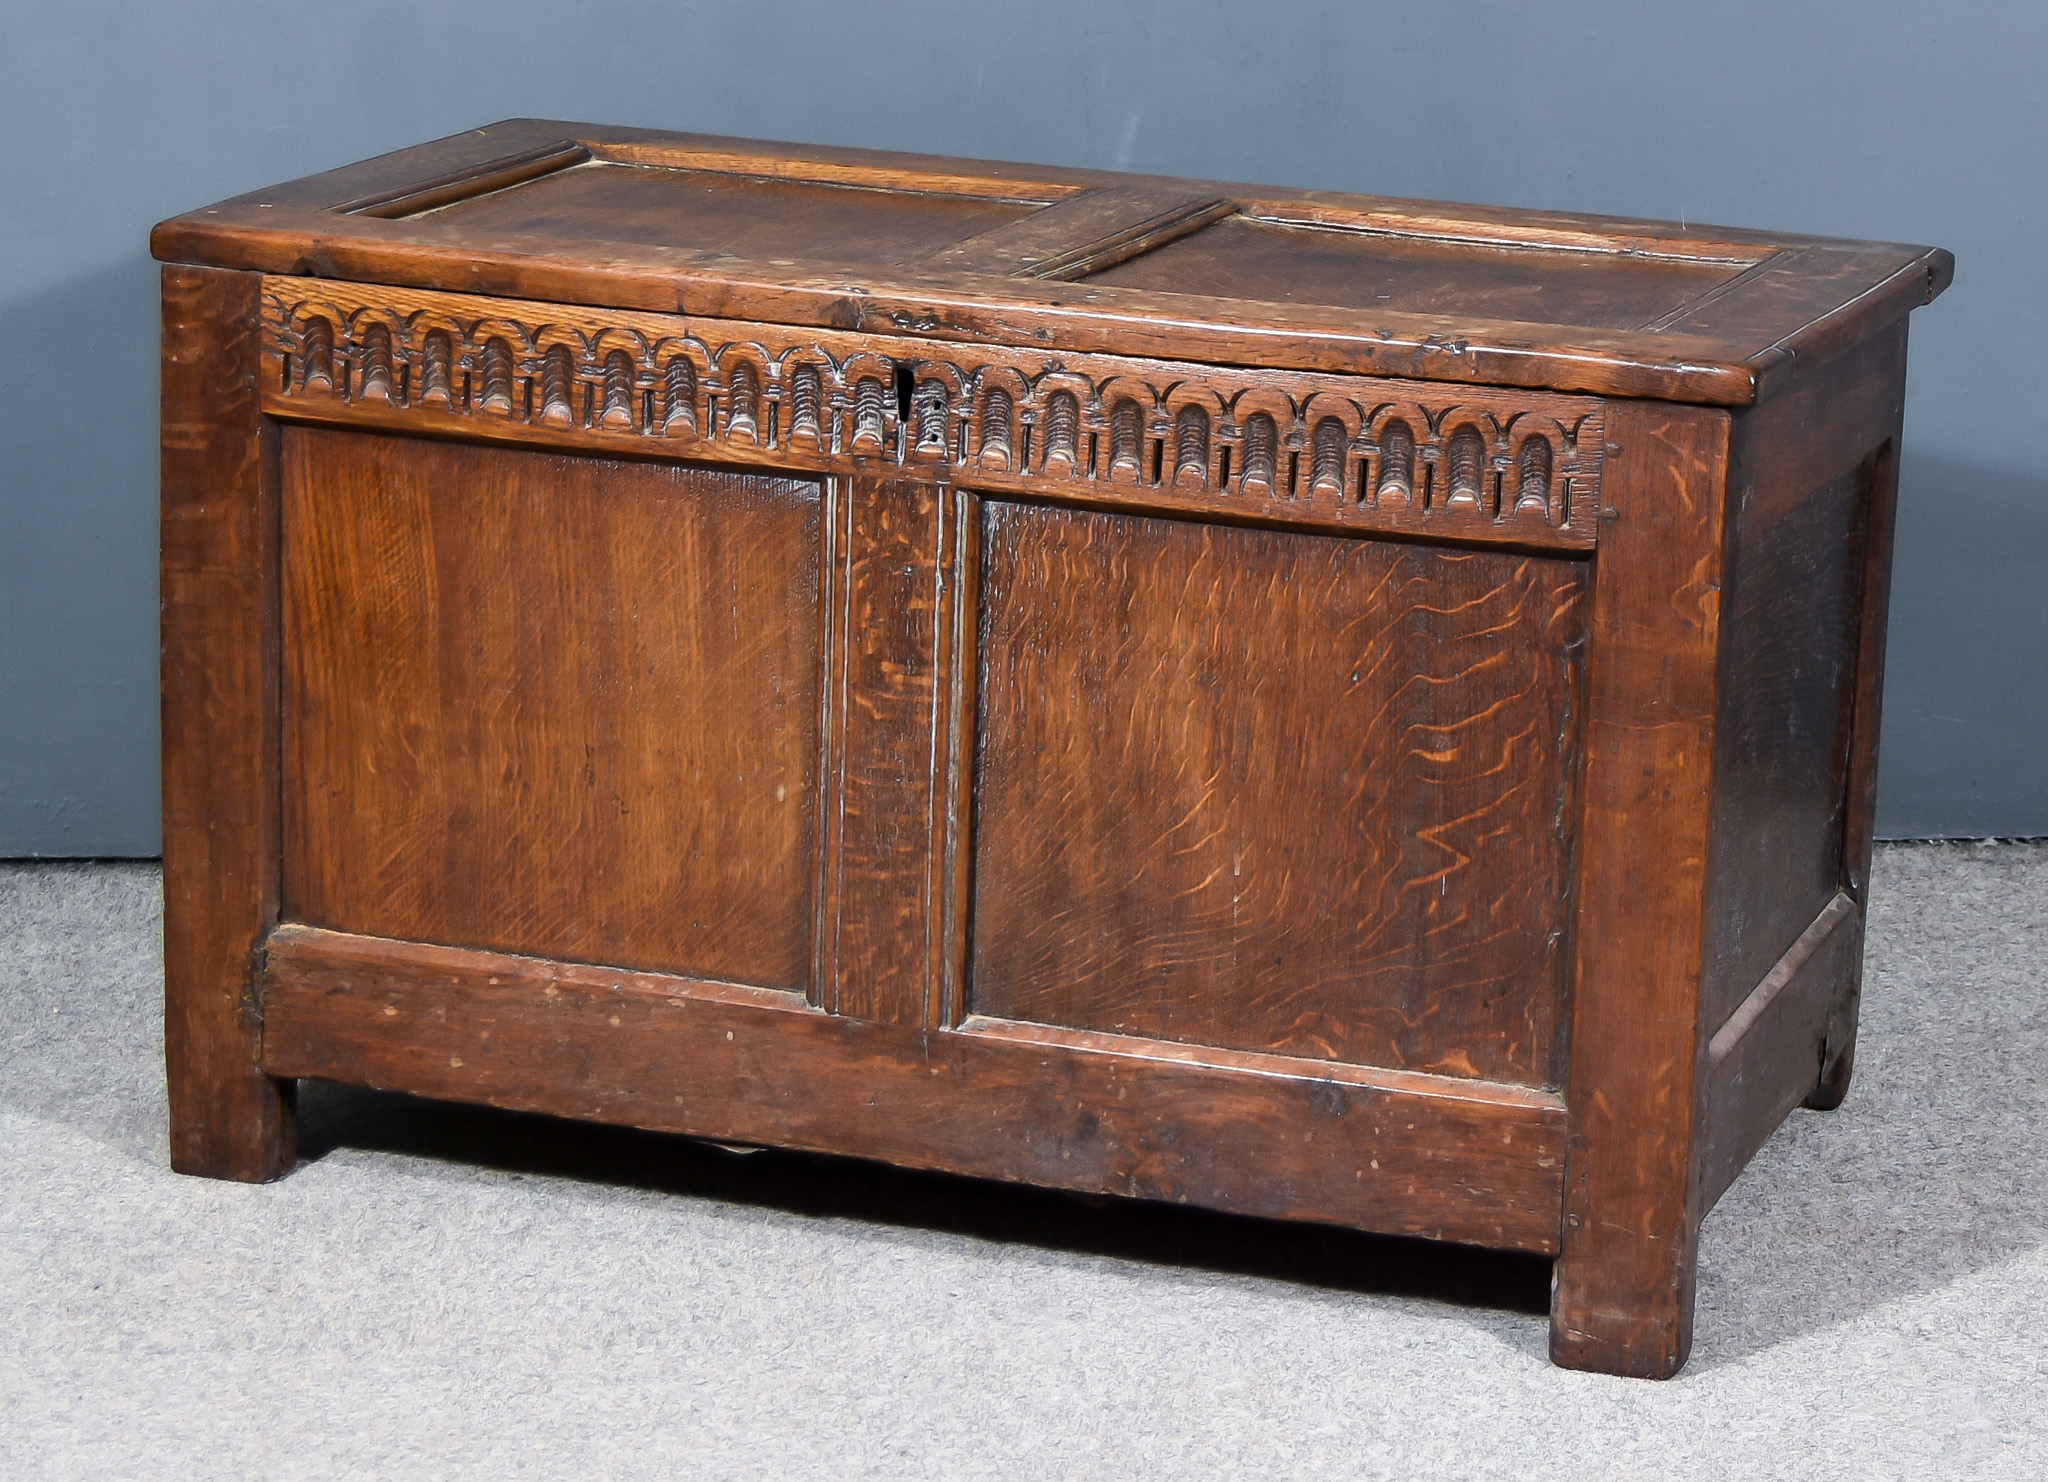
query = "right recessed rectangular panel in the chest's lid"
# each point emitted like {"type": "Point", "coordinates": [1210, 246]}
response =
{"type": "Point", "coordinates": [1377, 271]}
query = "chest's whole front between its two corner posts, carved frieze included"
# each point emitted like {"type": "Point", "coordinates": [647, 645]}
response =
{"type": "Point", "coordinates": [1082, 771]}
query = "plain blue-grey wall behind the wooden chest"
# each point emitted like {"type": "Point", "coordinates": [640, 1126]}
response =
{"type": "Point", "coordinates": [1859, 118]}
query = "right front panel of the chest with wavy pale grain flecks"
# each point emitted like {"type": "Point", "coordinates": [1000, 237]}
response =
{"type": "Point", "coordinates": [1275, 791]}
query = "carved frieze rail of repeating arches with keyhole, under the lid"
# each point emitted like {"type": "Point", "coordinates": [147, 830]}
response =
{"type": "Point", "coordinates": [1287, 447]}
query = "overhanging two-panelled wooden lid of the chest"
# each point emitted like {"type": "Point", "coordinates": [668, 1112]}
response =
{"type": "Point", "coordinates": [1076, 261]}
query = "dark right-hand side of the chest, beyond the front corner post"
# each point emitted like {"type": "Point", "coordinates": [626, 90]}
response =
{"type": "Point", "coordinates": [1795, 775]}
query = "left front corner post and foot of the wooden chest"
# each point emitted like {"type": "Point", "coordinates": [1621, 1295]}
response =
{"type": "Point", "coordinates": [228, 1121]}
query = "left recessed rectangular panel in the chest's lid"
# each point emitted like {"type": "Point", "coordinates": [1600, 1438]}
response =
{"type": "Point", "coordinates": [744, 216]}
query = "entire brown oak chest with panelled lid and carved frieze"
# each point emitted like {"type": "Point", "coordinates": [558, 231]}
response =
{"type": "Point", "coordinates": [1306, 705]}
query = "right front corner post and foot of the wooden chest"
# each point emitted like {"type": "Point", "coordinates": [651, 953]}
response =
{"type": "Point", "coordinates": [1625, 1280]}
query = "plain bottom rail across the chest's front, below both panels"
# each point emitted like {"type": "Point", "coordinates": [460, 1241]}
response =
{"type": "Point", "coordinates": [1410, 1156]}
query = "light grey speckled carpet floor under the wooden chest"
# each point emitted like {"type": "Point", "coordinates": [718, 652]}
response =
{"type": "Point", "coordinates": [456, 1293]}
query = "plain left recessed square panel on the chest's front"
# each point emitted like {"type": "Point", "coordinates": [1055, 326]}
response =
{"type": "Point", "coordinates": [552, 705]}
